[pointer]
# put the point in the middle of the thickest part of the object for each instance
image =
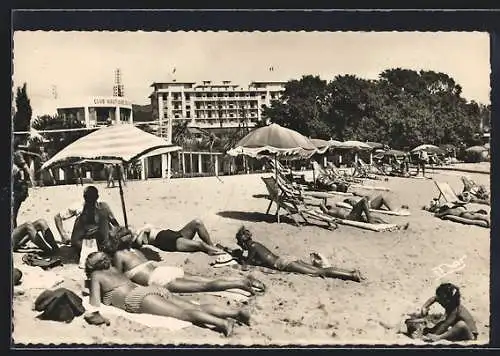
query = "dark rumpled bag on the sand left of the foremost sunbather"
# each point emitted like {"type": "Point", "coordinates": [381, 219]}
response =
{"type": "Point", "coordinates": [59, 305]}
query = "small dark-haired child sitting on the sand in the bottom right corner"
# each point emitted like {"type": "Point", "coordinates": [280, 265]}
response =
{"type": "Point", "coordinates": [458, 324]}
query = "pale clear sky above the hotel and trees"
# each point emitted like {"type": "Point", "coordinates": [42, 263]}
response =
{"type": "Point", "coordinates": [82, 64]}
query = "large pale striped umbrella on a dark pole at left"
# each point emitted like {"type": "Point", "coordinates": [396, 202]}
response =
{"type": "Point", "coordinates": [121, 142]}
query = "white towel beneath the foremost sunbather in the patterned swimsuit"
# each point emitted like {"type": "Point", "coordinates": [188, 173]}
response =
{"type": "Point", "coordinates": [153, 321]}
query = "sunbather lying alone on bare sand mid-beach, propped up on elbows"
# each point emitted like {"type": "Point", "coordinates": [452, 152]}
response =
{"type": "Point", "coordinates": [259, 255]}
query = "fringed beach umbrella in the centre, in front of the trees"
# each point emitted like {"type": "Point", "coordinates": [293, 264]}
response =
{"type": "Point", "coordinates": [275, 141]}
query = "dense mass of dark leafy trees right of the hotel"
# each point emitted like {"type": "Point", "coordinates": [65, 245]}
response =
{"type": "Point", "coordinates": [402, 108]}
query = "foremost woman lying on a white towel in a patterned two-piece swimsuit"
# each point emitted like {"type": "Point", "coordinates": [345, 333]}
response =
{"type": "Point", "coordinates": [111, 287]}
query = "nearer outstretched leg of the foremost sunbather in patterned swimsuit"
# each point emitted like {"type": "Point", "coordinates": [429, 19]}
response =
{"type": "Point", "coordinates": [157, 305]}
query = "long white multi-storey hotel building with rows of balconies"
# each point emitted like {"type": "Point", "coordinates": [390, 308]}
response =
{"type": "Point", "coordinates": [210, 105]}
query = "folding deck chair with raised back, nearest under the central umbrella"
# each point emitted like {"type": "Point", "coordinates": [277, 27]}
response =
{"type": "Point", "coordinates": [293, 205]}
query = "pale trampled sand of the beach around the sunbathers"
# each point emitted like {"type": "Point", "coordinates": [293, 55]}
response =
{"type": "Point", "coordinates": [296, 309]}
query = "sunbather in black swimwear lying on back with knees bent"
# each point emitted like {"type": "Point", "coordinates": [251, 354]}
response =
{"type": "Point", "coordinates": [180, 241]}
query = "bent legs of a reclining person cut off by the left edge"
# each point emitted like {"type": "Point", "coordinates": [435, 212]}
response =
{"type": "Point", "coordinates": [37, 232]}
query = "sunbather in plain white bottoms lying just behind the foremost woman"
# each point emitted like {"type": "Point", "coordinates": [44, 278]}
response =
{"type": "Point", "coordinates": [142, 271]}
